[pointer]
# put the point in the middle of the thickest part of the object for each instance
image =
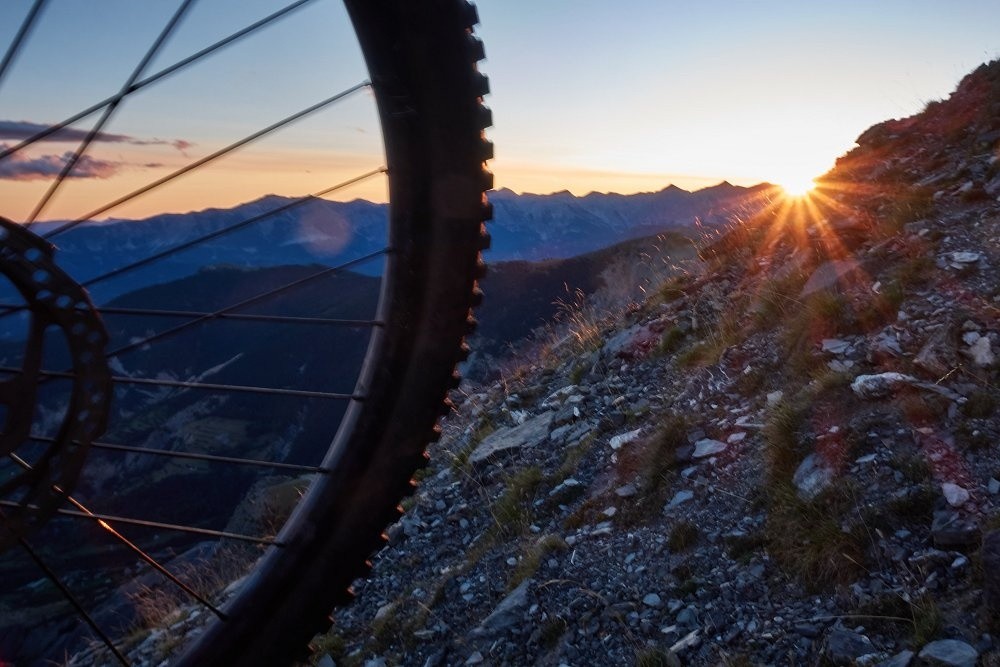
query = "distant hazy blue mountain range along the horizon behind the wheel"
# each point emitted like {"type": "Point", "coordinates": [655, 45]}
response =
{"type": "Point", "coordinates": [280, 231]}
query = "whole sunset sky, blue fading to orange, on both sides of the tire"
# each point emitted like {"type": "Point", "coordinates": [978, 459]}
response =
{"type": "Point", "coordinates": [587, 95]}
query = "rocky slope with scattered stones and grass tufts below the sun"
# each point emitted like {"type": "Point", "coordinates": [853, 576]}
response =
{"type": "Point", "coordinates": [789, 455]}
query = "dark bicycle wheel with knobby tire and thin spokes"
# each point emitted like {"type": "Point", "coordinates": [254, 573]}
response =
{"type": "Point", "coordinates": [421, 60]}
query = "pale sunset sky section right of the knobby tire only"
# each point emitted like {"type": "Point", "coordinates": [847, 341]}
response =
{"type": "Point", "coordinates": [595, 95]}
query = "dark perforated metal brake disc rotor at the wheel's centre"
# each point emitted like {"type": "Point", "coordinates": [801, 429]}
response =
{"type": "Point", "coordinates": [56, 306]}
